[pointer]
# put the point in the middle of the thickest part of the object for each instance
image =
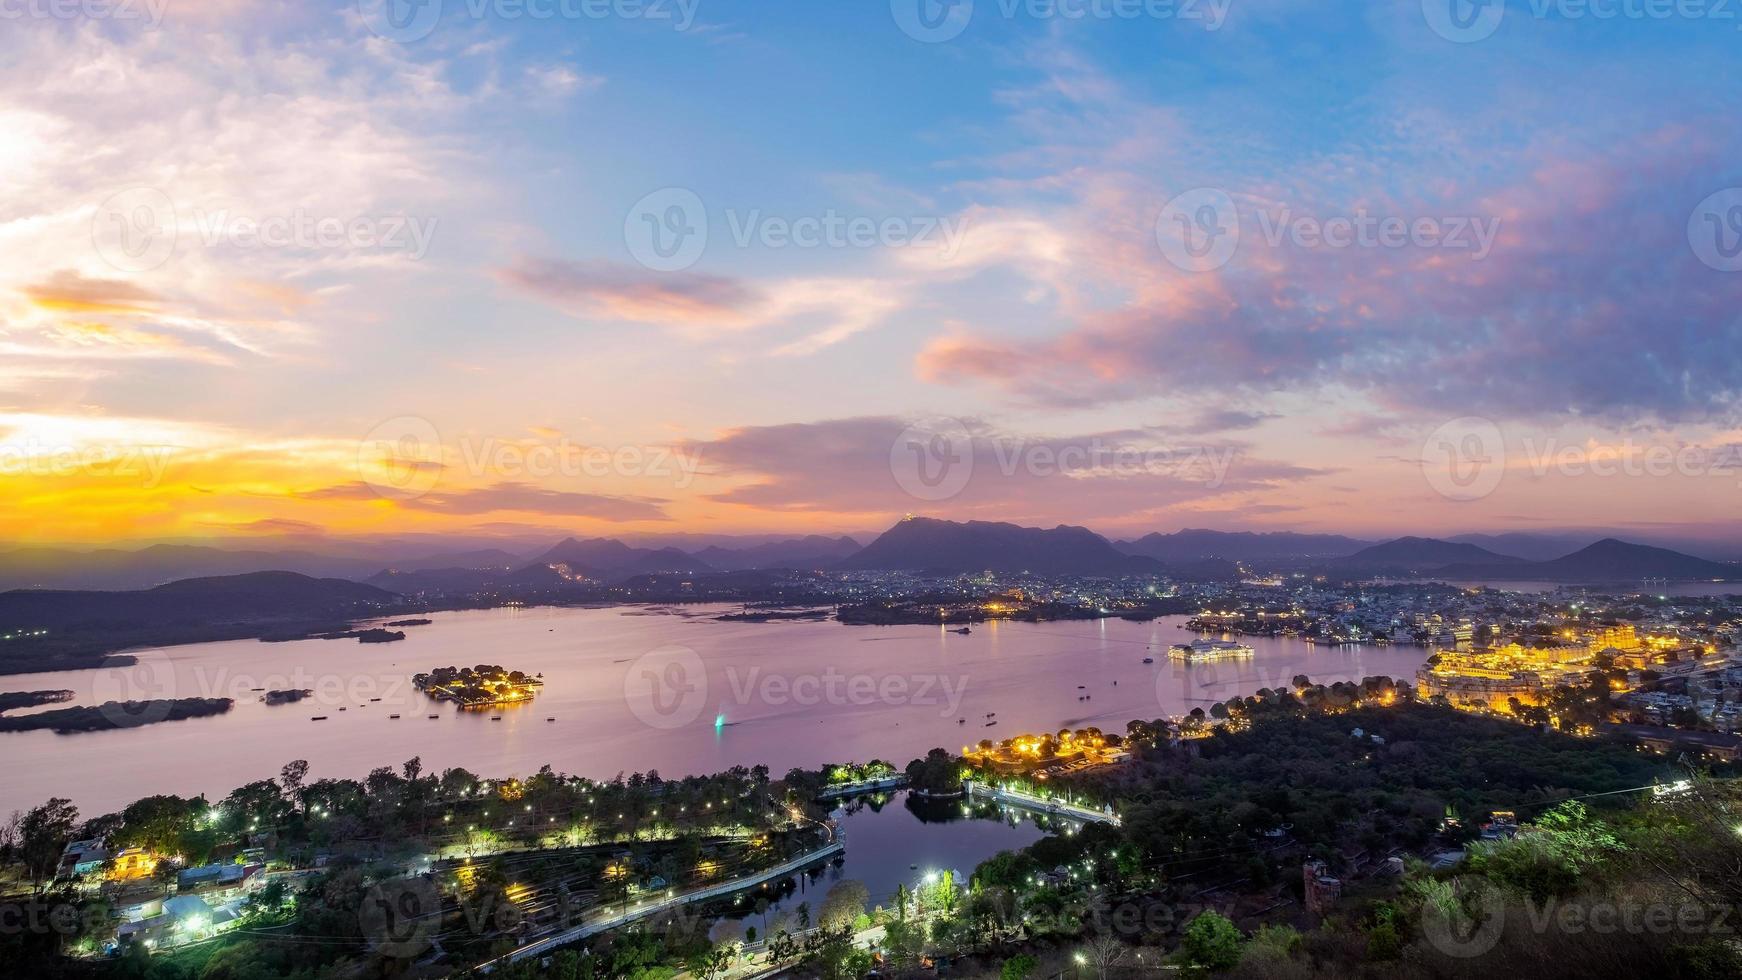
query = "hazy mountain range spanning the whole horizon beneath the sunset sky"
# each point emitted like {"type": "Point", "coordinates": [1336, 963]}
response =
{"type": "Point", "coordinates": [917, 544]}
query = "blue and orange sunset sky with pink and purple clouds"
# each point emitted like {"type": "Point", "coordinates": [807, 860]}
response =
{"type": "Point", "coordinates": [325, 271]}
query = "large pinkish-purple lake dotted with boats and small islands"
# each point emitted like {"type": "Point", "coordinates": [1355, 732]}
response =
{"type": "Point", "coordinates": [635, 688]}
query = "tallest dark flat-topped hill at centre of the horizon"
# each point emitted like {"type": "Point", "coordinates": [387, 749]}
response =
{"type": "Point", "coordinates": [924, 544]}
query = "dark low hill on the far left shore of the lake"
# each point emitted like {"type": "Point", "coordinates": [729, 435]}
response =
{"type": "Point", "coordinates": [240, 598]}
